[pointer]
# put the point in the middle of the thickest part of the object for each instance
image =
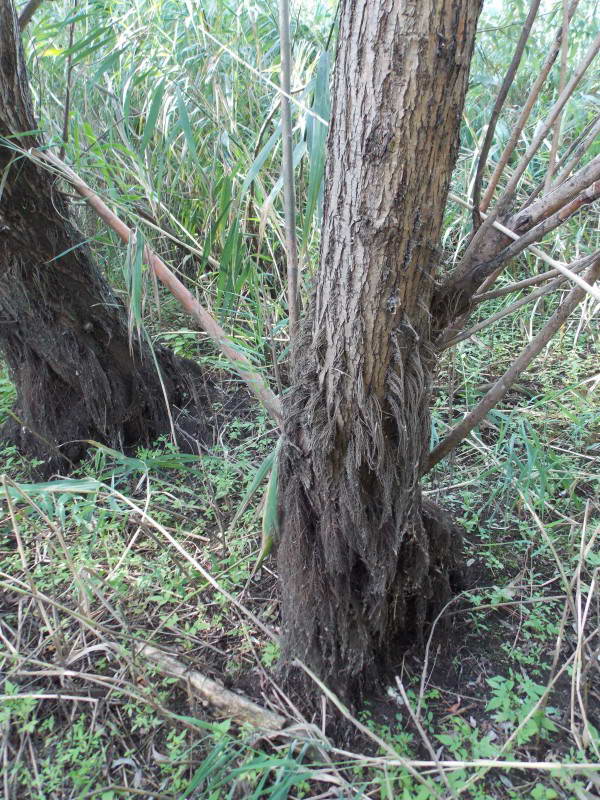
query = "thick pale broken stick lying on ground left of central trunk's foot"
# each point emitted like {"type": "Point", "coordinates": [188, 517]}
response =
{"type": "Point", "coordinates": [228, 704]}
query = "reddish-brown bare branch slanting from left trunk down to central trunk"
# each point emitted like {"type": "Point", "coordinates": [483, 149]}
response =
{"type": "Point", "coordinates": [240, 362]}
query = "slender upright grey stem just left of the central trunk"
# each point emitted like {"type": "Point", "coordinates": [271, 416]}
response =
{"type": "Point", "coordinates": [288, 168]}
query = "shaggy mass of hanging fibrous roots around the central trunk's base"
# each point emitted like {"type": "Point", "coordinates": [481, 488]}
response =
{"type": "Point", "coordinates": [364, 561]}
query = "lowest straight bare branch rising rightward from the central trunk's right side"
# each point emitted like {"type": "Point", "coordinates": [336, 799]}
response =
{"type": "Point", "coordinates": [501, 387]}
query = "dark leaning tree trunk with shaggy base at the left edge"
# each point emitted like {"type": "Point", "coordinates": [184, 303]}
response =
{"type": "Point", "coordinates": [62, 331]}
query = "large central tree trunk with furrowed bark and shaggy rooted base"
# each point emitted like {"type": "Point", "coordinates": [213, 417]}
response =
{"type": "Point", "coordinates": [363, 560]}
